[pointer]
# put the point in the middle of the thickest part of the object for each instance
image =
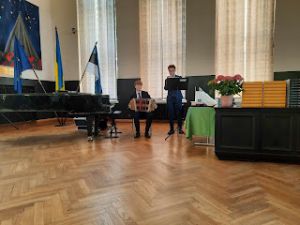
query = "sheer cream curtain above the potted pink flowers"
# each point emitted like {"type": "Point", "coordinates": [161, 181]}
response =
{"type": "Point", "coordinates": [244, 38]}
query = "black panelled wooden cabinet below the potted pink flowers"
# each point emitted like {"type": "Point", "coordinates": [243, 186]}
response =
{"type": "Point", "coordinates": [258, 134]}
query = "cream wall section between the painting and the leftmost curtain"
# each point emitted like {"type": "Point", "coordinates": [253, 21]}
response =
{"type": "Point", "coordinates": [60, 13]}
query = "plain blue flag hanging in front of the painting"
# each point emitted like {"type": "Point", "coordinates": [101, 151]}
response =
{"type": "Point", "coordinates": [21, 63]}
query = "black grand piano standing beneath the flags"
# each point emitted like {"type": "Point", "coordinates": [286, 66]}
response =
{"type": "Point", "coordinates": [71, 104]}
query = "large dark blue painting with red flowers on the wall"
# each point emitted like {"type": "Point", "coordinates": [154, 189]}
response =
{"type": "Point", "coordinates": [21, 19]}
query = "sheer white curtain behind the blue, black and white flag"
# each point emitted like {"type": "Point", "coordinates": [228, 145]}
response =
{"type": "Point", "coordinates": [96, 23]}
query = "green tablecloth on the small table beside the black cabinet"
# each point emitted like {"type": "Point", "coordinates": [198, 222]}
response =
{"type": "Point", "coordinates": [200, 121]}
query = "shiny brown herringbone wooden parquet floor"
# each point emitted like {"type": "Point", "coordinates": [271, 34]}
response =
{"type": "Point", "coordinates": [53, 176]}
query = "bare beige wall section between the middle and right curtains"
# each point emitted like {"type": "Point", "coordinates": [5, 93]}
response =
{"type": "Point", "coordinates": [200, 58]}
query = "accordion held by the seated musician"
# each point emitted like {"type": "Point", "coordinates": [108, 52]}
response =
{"type": "Point", "coordinates": [142, 105]}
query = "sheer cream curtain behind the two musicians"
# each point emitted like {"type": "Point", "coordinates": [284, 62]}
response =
{"type": "Point", "coordinates": [162, 41]}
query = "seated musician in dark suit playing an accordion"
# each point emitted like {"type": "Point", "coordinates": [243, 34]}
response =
{"type": "Point", "coordinates": [143, 106]}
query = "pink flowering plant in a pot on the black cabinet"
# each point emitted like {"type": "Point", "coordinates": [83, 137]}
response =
{"type": "Point", "coordinates": [227, 86]}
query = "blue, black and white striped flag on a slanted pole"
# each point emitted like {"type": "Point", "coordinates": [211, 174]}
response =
{"type": "Point", "coordinates": [92, 78]}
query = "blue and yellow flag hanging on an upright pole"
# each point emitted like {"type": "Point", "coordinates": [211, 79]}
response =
{"type": "Point", "coordinates": [58, 70]}
